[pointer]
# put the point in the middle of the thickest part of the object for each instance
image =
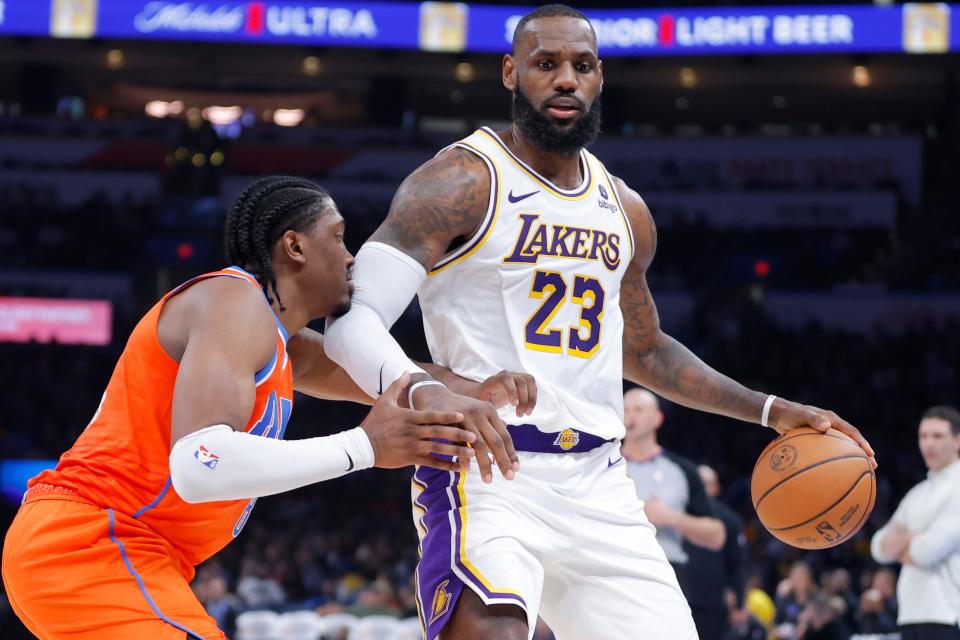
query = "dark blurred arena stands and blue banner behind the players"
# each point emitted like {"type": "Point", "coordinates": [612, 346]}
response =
{"type": "Point", "coordinates": [805, 180]}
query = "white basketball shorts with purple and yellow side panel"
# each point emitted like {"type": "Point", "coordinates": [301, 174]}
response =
{"type": "Point", "coordinates": [567, 540]}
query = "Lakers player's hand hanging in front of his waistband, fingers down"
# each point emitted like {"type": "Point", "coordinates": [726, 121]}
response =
{"type": "Point", "coordinates": [479, 417]}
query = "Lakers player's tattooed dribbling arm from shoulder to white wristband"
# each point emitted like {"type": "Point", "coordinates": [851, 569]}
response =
{"type": "Point", "coordinates": [655, 360]}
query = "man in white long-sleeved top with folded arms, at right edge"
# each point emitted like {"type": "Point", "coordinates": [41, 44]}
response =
{"type": "Point", "coordinates": [924, 536]}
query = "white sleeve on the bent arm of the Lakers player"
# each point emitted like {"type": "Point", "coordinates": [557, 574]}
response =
{"type": "Point", "coordinates": [385, 280]}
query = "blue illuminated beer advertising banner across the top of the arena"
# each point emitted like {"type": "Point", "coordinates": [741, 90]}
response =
{"type": "Point", "coordinates": [444, 26]}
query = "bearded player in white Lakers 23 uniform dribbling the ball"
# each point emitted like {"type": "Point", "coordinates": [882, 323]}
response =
{"type": "Point", "coordinates": [527, 255]}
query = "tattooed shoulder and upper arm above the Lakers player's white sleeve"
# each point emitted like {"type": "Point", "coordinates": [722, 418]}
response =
{"type": "Point", "coordinates": [440, 204]}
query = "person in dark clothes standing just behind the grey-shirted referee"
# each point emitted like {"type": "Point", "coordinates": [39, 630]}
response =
{"type": "Point", "coordinates": [716, 579]}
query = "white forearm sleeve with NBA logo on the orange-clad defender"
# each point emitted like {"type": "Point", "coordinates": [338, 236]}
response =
{"type": "Point", "coordinates": [218, 463]}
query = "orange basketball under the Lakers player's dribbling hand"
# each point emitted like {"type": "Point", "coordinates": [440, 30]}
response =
{"type": "Point", "coordinates": [813, 490]}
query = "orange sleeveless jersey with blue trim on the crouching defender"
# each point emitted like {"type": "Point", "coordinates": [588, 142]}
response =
{"type": "Point", "coordinates": [121, 460]}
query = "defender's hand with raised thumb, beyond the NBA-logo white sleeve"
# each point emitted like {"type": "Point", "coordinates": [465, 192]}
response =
{"type": "Point", "coordinates": [402, 437]}
